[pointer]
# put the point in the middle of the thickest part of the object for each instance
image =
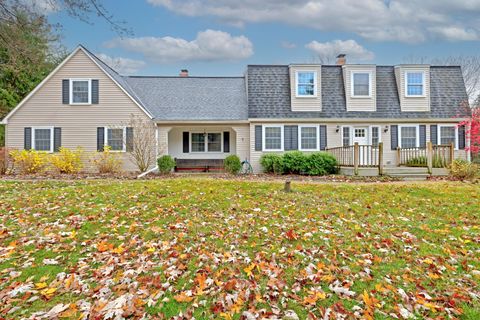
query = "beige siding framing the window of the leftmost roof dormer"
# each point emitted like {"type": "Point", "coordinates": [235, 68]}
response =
{"type": "Point", "coordinates": [306, 103]}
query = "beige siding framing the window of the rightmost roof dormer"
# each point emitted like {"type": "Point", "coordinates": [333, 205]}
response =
{"type": "Point", "coordinates": [413, 103]}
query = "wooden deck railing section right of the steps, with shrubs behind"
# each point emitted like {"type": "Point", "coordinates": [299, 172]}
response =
{"type": "Point", "coordinates": [433, 156]}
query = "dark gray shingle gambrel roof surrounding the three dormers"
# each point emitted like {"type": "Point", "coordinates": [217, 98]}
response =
{"type": "Point", "coordinates": [269, 94]}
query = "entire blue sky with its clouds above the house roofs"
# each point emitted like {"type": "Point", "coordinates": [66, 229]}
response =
{"type": "Point", "coordinates": [221, 37]}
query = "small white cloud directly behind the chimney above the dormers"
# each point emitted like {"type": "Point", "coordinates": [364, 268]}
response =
{"type": "Point", "coordinates": [327, 51]}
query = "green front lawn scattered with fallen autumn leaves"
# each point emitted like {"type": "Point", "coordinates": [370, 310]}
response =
{"type": "Point", "coordinates": [222, 249]}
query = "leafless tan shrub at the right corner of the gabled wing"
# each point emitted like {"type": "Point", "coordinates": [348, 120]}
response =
{"type": "Point", "coordinates": [141, 142]}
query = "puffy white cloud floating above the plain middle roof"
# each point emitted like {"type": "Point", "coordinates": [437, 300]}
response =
{"type": "Point", "coordinates": [209, 45]}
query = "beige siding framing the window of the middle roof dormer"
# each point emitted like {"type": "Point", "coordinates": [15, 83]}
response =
{"type": "Point", "coordinates": [360, 103]}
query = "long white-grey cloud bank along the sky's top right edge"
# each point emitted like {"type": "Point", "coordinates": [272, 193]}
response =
{"type": "Point", "coordinates": [377, 20]}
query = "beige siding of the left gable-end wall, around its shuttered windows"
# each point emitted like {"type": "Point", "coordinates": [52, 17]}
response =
{"type": "Point", "coordinates": [78, 122]}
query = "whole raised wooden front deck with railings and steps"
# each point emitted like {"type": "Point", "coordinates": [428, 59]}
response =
{"type": "Point", "coordinates": [369, 160]}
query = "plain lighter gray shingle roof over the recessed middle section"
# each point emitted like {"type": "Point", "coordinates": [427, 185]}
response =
{"type": "Point", "coordinates": [192, 98]}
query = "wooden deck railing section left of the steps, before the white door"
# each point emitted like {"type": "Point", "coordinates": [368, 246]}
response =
{"type": "Point", "coordinates": [359, 156]}
